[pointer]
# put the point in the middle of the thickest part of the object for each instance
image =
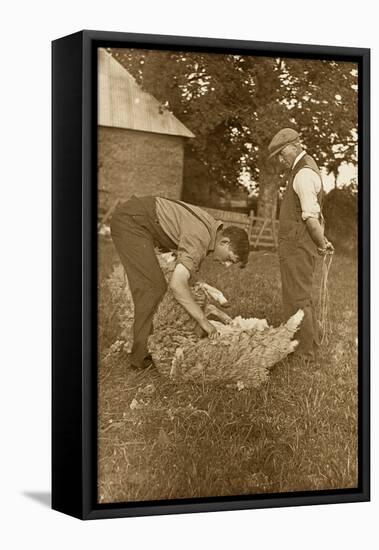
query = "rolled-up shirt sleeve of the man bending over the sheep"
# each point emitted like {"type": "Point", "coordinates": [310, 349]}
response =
{"type": "Point", "coordinates": [192, 249]}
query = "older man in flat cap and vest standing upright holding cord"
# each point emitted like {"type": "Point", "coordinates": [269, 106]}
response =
{"type": "Point", "coordinates": [301, 234]}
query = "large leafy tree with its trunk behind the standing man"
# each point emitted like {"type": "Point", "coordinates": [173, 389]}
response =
{"type": "Point", "coordinates": [234, 104]}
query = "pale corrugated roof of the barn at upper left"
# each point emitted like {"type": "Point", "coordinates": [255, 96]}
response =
{"type": "Point", "coordinates": [123, 104]}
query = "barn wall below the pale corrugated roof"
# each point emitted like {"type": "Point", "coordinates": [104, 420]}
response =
{"type": "Point", "coordinates": [141, 163]}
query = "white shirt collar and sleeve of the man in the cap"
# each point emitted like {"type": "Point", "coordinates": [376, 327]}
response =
{"type": "Point", "coordinates": [307, 185]}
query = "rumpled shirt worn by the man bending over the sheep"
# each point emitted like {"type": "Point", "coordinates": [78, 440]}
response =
{"type": "Point", "coordinates": [194, 237]}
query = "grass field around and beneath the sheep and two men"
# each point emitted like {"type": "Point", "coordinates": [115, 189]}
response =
{"type": "Point", "coordinates": [158, 440]}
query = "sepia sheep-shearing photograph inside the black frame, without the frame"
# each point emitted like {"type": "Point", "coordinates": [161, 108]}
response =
{"type": "Point", "coordinates": [227, 274]}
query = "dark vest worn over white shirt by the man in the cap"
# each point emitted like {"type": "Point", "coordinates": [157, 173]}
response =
{"type": "Point", "coordinates": [293, 232]}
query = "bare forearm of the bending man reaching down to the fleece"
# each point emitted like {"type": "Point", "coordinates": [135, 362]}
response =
{"type": "Point", "coordinates": [180, 288]}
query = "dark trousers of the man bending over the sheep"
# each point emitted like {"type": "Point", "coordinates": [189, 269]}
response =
{"type": "Point", "coordinates": [135, 232]}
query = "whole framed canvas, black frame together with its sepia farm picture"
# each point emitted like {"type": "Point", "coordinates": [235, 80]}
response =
{"type": "Point", "coordinates": [178, 382]}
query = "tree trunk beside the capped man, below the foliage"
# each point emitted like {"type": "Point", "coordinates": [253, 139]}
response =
{"type": "Point", "coordinates": [268, 190]}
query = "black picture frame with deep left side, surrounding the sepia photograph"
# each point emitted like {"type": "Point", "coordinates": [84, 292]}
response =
{"type": "Point", "coordinates": [74, 294]}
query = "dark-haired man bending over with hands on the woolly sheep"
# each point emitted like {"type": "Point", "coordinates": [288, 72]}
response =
{"type": "Point", "coordinates": [142, 223]}
